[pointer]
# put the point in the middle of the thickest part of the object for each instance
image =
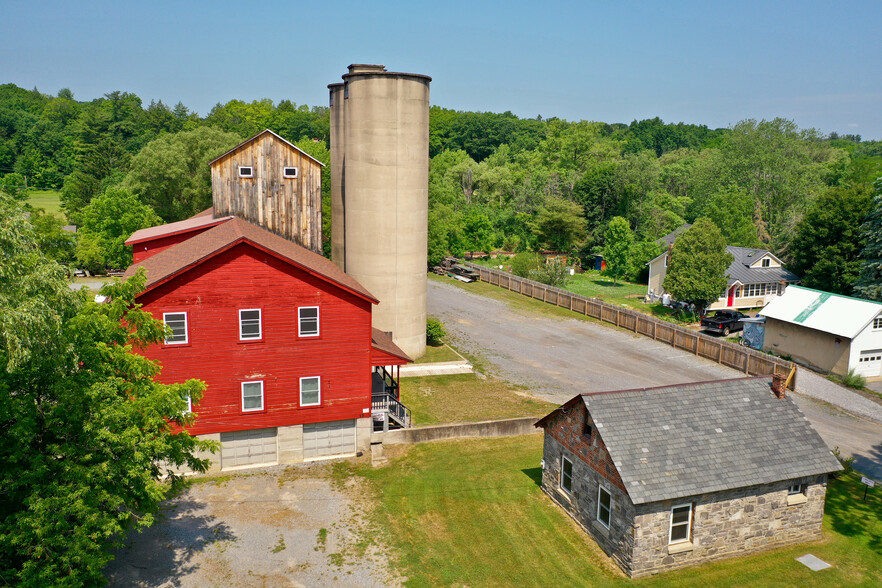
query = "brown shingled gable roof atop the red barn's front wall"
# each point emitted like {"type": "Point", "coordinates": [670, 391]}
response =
{"type": "Point", "coordinates": [179, 258]}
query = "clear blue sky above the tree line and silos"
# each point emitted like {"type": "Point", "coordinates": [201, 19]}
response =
{"type": "Point", "coordinates": [818, 63]}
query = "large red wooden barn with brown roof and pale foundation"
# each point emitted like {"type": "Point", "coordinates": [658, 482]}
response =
{"type": "Point", "coordinates": [280, 334]}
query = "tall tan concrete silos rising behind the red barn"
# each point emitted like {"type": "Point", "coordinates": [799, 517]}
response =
{"type": "Point", "coordinates": [379, 187]}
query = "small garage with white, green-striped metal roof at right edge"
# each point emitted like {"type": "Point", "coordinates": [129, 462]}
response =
{"type": "Point", "coordinates": [826, 331]}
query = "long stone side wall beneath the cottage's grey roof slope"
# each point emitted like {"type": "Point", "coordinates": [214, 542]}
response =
{"type": "Point", "coordinates": [728, 524]}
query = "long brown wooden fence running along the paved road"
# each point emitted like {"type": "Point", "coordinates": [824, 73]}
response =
{"type": "Point", "coordinates": [745, 359]}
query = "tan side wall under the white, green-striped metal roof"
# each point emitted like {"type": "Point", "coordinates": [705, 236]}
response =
{"type": "Point", "coordinates": [808, 346]}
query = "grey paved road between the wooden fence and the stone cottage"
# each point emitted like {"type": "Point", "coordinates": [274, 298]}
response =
{"type": "Point", "coordinates": [559, 358]}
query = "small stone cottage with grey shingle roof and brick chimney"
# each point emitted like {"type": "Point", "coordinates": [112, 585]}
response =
{"type": "Point", "coordinates": [663, 478]}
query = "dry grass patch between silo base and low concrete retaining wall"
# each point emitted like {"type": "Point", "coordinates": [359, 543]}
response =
{"type": "Point", "coordinates": [466, 397]}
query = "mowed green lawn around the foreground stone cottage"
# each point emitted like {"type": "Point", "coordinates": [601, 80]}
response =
{"type": "Point", "coordinates": [471, 513]}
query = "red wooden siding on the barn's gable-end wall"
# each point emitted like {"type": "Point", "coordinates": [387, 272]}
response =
{"type": "Point", "coordinates": [242, 278]}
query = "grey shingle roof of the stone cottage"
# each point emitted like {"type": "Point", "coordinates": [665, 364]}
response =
{"type": "Point", "coordinates": [690, 439]}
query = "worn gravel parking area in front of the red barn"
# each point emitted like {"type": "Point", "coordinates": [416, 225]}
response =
{"type": "Point", "coordinates": [293, 526]}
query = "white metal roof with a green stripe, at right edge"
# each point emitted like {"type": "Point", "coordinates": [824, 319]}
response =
{"type": "Point", "coordinates": [831, 313]}
